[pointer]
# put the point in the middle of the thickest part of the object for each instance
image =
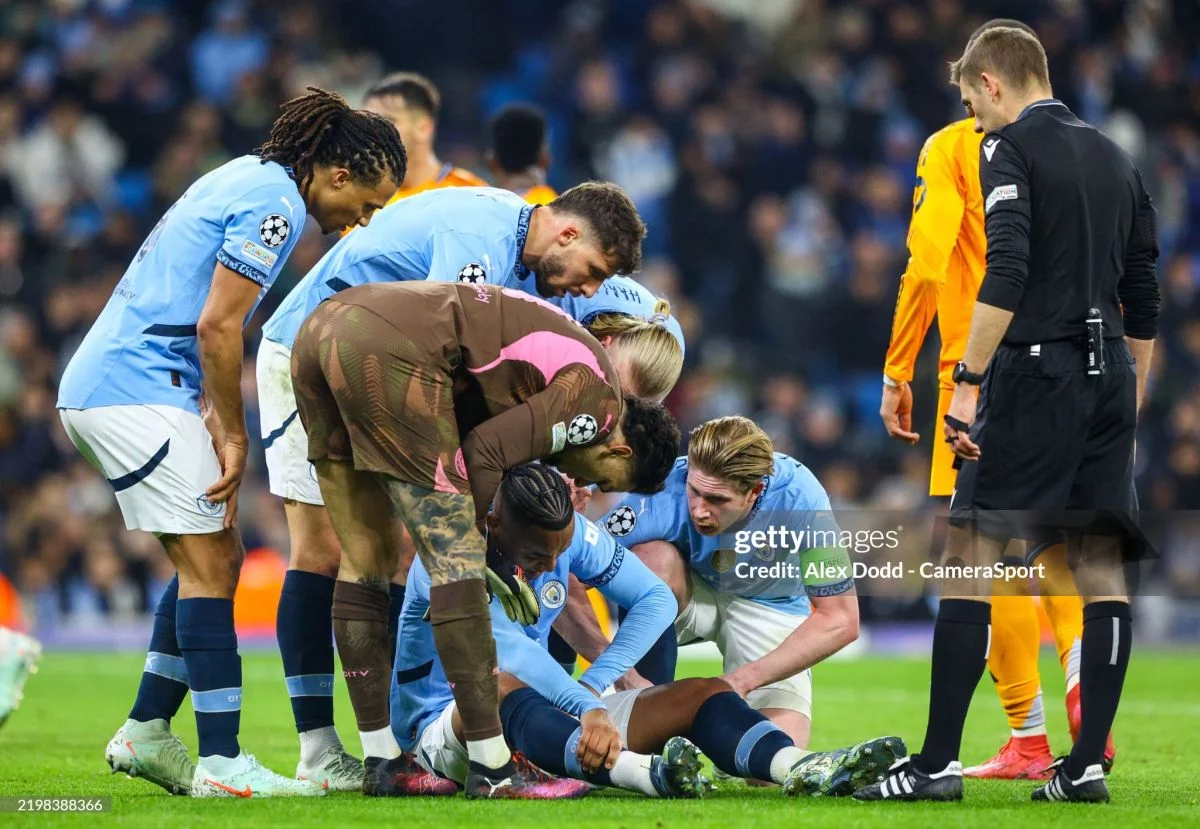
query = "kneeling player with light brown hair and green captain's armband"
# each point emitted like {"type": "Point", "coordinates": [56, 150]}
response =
{"type": "Point", "coordinates": [772, 634]}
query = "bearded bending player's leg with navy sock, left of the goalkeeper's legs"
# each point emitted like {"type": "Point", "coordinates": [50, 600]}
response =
{"type": "Point", "coordinates": [307, 645]}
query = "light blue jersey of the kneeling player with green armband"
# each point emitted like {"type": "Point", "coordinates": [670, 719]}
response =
{"type": "Point", "coordinates": [791, 496]}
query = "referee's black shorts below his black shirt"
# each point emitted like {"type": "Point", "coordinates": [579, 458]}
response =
{"type": "Point", "coordinates": [1055, 443]}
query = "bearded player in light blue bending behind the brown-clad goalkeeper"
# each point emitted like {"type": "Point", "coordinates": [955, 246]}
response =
{"type": "Point", "coordinates": [464, 235]}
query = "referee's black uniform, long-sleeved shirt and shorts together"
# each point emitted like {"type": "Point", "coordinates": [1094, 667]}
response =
{"type": "Point", "coordinates": [1070, 230]}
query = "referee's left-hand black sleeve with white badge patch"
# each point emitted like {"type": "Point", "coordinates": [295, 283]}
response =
{"type": "Point", "coordinates": [1005, 179]}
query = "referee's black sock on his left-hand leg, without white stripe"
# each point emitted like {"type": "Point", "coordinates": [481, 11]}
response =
{"type": "Point", "coordinates": [962, 635]}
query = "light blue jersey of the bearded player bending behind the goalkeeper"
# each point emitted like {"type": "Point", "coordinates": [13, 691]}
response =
{"type": "Point", "coordinates": [471, 235]}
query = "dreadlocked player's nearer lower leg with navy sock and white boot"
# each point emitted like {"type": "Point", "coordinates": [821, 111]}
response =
{"type": "Point", "coordinates": [209, 567]}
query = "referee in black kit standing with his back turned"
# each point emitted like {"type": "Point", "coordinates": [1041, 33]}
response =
{"type": "Point", "coordinates": [1061, 340]}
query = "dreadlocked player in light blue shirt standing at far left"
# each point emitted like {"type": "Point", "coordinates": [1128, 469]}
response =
{"type": "Point", "coordinates": [153, 400]}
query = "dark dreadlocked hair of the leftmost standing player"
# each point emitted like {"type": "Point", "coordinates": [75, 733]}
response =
{"type": "Point", "coordinates": [322, 129]}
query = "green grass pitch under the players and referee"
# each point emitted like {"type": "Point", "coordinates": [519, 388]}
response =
{"type": "Point", "coordinates": [55, 747]}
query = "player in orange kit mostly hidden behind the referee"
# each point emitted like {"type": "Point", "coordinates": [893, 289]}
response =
{"type": "Point", "coordinates": [947, 250]}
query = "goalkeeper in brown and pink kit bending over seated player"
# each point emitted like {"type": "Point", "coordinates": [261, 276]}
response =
{"type": "Point", "coordinates": [388, 377]}
